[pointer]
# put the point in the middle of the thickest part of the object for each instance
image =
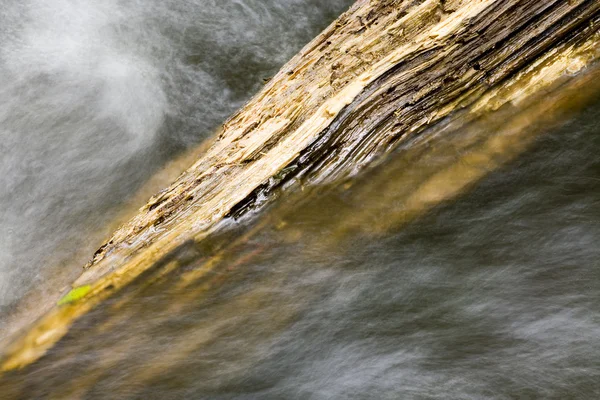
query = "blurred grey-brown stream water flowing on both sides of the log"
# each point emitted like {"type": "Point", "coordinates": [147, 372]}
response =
{"type": "Point", "coordinates": [495, 295]}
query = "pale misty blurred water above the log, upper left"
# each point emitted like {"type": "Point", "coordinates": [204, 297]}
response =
{"type": "Point", "coordinates": [95, 96]}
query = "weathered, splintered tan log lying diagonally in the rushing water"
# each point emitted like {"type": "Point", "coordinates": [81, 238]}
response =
{"type": "Point", "coordinates": [385, 73]}
